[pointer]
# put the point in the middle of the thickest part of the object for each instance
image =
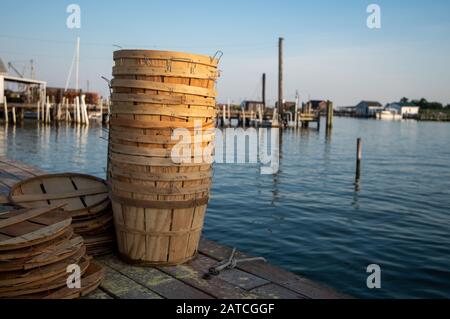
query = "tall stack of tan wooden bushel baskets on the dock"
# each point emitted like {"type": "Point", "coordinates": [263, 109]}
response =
{"type": "Point", "coordinates": [159, 203]}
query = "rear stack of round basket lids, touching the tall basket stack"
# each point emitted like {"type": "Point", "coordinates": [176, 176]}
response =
{"type": "Point", "coordinates": [84, 197]}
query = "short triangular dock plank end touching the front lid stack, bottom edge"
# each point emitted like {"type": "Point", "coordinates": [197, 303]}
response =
{"type": "Point", "coordinates": [122, 287]}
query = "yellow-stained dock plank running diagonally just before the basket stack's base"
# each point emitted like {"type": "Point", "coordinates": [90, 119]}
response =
{"type": "Point", "coordinates": [157, 281]}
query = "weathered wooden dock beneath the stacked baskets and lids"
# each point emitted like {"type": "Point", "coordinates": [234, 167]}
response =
{"type": "Point", "coordinates": [252, 280]}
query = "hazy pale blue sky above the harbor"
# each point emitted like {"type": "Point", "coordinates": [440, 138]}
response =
{"type": "Point", "coordinates": [330, 53]}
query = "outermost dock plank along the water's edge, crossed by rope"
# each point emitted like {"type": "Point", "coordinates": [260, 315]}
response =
{"type": "Point", "coordinates": [271, 273]}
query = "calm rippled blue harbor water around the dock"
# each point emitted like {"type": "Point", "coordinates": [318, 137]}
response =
{"type": "Point", "coordinates": [309, 218]}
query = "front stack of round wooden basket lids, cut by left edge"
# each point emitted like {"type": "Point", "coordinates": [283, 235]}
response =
{"type": "Point", "coordinates": [36, 247]}
